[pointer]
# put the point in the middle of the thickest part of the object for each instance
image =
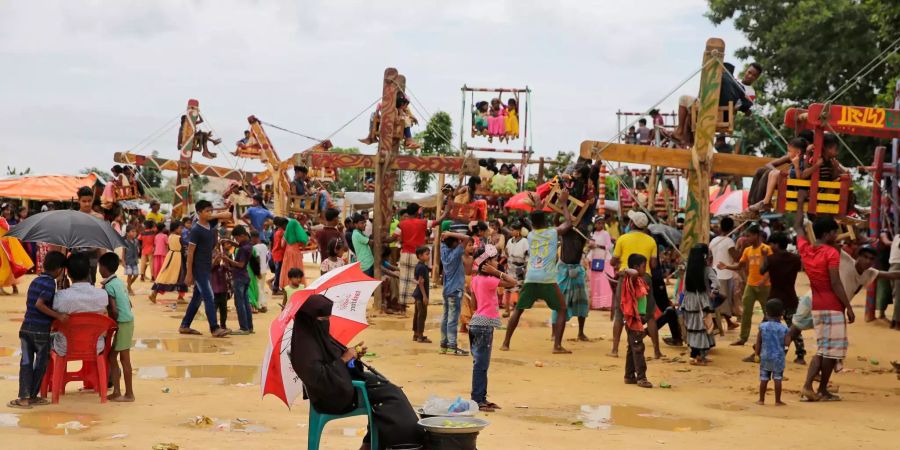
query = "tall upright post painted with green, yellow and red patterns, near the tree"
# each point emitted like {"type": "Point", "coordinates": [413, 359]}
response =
{"type": "Point", "coordinates": [696, 217]}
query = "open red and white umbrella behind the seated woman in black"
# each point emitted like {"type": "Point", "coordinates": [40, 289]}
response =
{"type": "Point", "coordinates": [350, 290]}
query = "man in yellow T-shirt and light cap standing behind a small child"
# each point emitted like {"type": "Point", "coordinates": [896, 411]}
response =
{"type": "Point", "coordinates": [635, 241]}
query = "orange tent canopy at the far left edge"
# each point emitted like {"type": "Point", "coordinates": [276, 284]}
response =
{"type": "Point", "coordinates": [45, 187]}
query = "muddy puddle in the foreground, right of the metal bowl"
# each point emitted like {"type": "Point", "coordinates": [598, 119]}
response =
{"type": "Point", "coordinates": [603, 417]}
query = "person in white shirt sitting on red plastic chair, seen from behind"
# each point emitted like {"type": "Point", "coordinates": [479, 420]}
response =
{"type": "Point", "coordinates": [81, 297]}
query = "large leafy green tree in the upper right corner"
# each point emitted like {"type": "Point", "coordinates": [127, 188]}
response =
{"type": "Point", "coordinates": [802, 67]}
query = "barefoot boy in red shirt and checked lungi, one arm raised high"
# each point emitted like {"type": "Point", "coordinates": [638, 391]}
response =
{"type": "Point", "coordinates": [829, 301]}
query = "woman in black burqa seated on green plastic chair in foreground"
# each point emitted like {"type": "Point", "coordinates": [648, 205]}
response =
{"type": "Point", "coordinates": [321, 362]}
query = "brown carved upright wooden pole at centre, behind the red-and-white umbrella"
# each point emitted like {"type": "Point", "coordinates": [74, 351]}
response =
{"type": "Point", "coordinates": [391, 133]}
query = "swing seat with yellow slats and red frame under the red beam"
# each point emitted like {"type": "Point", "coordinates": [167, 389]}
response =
{"type": "Point", "coordinates": [825, 202]}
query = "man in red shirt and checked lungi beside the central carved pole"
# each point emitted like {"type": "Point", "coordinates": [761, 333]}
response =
{"type": "Point", "coordinates": [412, 231]}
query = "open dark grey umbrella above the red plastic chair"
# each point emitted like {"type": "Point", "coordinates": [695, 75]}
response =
{"type": "Point", "coordinates": [70, 229]}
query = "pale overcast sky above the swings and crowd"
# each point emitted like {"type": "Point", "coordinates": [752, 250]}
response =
{"type": "Point", "coordinates": [84, 79]}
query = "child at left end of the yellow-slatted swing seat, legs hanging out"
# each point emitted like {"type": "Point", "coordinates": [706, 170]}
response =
{"type": "Point", "coordinates": [766, 179]}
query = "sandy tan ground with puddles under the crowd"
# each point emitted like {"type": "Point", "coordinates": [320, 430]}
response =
{"type": "Point", "coordinates": [178, 378]}
